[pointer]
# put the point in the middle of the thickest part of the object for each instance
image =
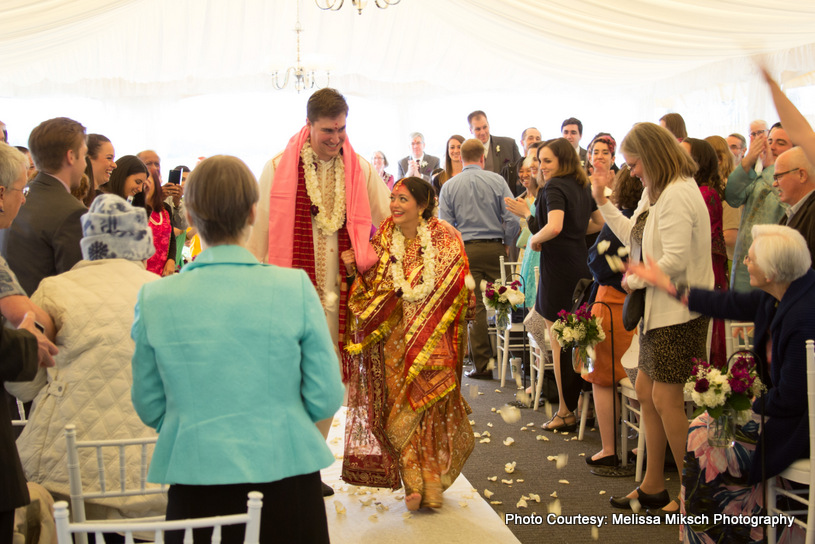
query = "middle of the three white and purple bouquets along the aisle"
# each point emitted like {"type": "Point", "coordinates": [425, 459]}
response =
{"type": "Point", "coordinates": [580, 331]}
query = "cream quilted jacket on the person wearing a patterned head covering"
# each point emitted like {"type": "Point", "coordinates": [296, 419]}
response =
{"type": "Point", "coordinates": [92, 307]}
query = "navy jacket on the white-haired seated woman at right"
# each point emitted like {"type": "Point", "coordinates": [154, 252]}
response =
{"type": "Point", "coordinates": [789, 322]}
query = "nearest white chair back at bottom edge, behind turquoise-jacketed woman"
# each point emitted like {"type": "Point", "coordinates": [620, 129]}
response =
{"type": "Point", "coordinates": [251, 519]}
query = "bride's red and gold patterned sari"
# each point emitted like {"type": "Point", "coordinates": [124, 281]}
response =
{"type": "Point", "coordinates": [406, 417]}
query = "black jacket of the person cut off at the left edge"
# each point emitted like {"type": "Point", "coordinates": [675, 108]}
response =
{"type": "Point", "coordinates": [18, 362]}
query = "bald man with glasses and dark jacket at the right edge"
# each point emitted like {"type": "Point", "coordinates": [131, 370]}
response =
{"type": "Point", "coordinates": [794, 179]}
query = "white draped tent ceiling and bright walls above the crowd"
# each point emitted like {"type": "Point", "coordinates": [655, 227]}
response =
{"type": "Point", "coordinates": [420, 65]}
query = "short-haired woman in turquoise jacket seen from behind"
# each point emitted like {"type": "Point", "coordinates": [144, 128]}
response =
{"type": "Point", "coordinates": [234, 381]}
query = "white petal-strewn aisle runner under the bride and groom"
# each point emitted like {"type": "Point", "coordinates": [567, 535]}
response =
{"type": "Point", "coordinates": [373, 515]}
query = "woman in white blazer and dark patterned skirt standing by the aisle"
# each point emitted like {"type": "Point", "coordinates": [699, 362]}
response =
{"type": "Point", "coordinates": [671, 227]}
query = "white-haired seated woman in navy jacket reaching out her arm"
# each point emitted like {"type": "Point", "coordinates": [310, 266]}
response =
{"type": "Point", "coordinates": [782, 306]}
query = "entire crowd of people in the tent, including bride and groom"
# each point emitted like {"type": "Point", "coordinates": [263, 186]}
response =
{"type": "Point", "coordinates": [105, 333]}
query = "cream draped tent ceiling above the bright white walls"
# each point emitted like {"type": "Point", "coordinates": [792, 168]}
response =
{"type": "Point", "coordinates": [114, 48]}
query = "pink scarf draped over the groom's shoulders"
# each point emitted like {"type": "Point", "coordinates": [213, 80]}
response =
{"type": "Point", "coordinates": [282, 200]}
